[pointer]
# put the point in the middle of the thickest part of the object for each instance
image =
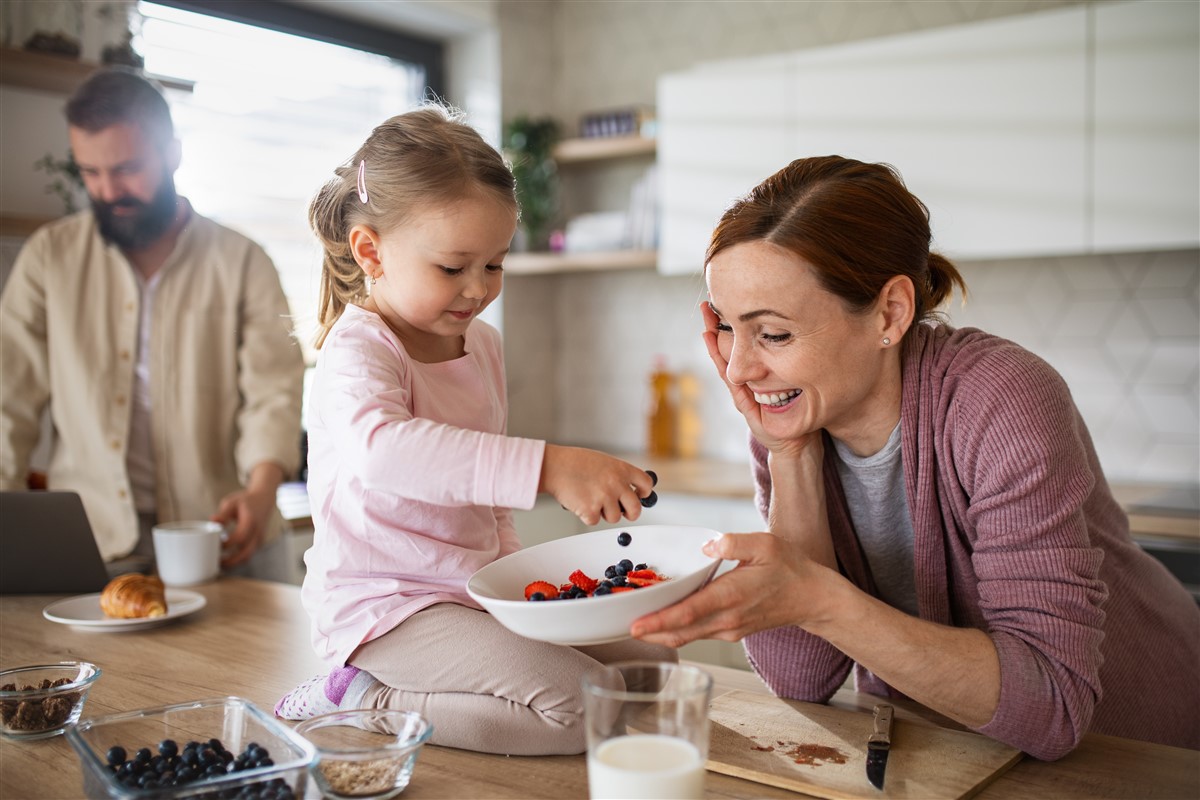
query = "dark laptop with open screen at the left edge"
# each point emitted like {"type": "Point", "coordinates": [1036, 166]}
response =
{"type": "Point", "coordinates": [47, 546]}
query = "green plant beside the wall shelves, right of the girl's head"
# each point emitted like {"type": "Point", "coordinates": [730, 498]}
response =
{"type": "Point", "coordinates": [530, 145]}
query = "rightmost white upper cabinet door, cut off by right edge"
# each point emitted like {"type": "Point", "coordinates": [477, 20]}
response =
{"type": "Point", "coordinates": [1148, 127]}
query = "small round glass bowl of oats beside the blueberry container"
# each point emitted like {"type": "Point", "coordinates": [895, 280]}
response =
{"type": "Point", "coordinates": [365, 754]}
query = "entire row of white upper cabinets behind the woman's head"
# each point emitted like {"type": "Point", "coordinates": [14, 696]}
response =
{"type": "Point", "coordinates": [1007, 130]}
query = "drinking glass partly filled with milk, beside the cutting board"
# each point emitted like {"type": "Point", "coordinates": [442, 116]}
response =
{"type": "Point", "coordinates": [647, 731]}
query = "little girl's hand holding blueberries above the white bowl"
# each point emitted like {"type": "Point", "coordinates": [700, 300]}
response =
{"type": "Point", "coordinates": [593, 485]}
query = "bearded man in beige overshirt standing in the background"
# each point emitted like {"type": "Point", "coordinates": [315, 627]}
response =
{"type": "Point", "coordinates": [159, 341]}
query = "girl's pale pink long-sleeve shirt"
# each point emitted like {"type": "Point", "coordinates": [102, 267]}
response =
{"type": "Point", "coordinates": [411, 479]}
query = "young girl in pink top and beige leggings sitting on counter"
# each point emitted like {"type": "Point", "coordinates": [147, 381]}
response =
{"type": "Point", "coordinates": [411, 474]}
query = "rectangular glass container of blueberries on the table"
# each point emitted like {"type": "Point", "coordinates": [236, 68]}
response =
{"type": "Point", "coordinates": [223, 748]}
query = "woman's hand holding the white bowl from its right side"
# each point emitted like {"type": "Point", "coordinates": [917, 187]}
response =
{"type": "Point", "coordinates": [775, 585]}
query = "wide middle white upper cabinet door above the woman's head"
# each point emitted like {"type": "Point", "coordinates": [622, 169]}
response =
{"type": "Point", "coordinates": [986, 124]}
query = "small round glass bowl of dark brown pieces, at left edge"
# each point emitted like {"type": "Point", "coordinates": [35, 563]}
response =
{"type": "Point", "coordinates": [45, 700]}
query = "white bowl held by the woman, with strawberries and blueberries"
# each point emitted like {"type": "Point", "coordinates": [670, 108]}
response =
{"type": "Point", "coordinates": [673, 551]}
